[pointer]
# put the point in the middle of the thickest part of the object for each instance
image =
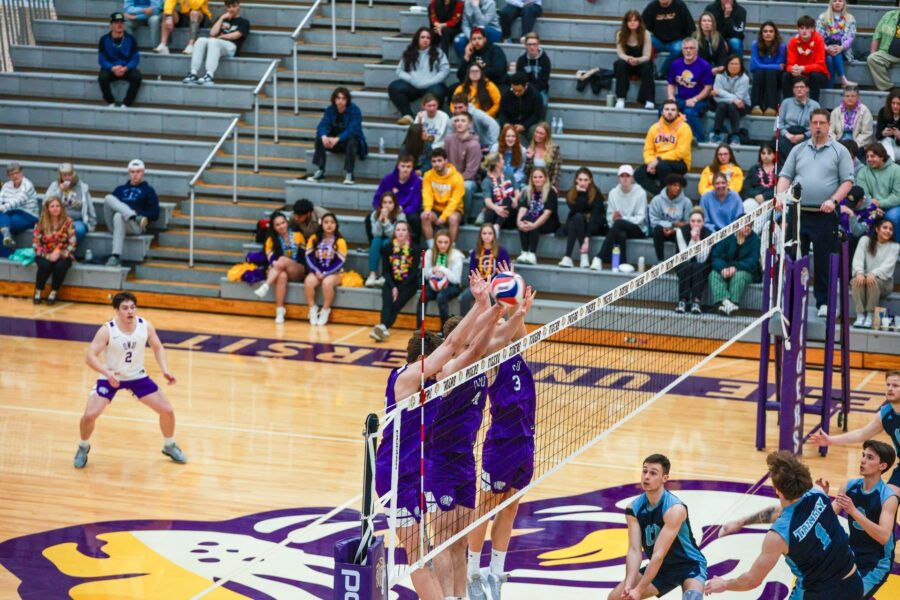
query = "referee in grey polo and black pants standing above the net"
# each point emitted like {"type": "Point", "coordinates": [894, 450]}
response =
{"type": "Point", "coordinates": [824, 169]}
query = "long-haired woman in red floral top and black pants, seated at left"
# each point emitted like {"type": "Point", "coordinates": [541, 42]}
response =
{"type": "Point", "coordinates": [54, 248]}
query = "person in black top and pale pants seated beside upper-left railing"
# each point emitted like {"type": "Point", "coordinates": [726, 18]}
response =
{"type": "Point", "coordinates": [226, 37]}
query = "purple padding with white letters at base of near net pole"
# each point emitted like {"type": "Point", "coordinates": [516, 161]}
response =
{"type": "Point", "coordinates": [359, 582]}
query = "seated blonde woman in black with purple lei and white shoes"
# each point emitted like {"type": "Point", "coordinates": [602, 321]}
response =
{"type": "Point", "coordinates": [537, 214]}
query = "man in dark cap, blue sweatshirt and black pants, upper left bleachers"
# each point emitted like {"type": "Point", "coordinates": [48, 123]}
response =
{"type": "Point", "coordinates": [118, 56]}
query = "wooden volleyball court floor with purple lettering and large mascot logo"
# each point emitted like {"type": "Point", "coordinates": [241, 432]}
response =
{"type": "Point", "coordinates": [270, 418]}
